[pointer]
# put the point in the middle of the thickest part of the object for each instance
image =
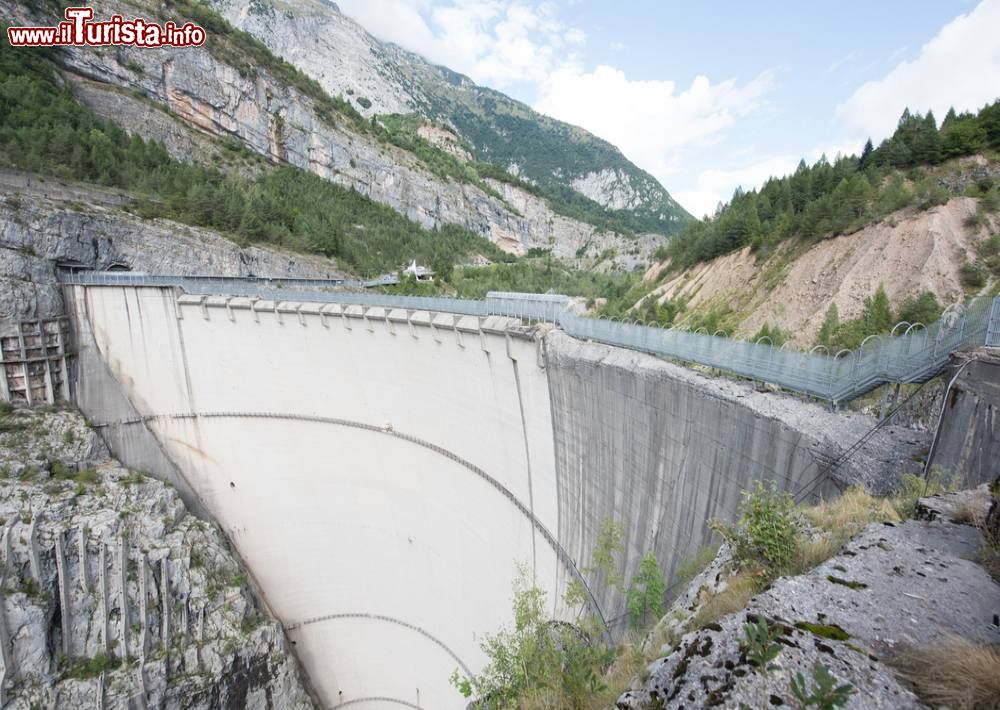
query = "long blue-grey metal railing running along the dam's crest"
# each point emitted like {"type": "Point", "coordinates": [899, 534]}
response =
{"type": "Point", "coordinates": [915, 355]}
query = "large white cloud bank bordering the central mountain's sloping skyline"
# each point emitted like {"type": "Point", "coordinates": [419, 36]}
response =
{"type": "Point", "coordinates": [656, 124]}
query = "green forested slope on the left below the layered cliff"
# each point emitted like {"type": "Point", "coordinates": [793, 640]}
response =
{"type": "Point", "coordinates": [43, 129]}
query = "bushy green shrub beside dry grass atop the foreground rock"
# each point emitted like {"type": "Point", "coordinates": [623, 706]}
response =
{"type": "Point", "coordinates": [765, 534]}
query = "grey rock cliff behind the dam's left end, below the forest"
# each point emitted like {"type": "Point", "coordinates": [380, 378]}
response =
{"type": "Point", "coordinates": [43, 224]}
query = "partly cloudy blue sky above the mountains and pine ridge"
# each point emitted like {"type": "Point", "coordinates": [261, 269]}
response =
{"type": "Point", "coordinates": [710, 95]}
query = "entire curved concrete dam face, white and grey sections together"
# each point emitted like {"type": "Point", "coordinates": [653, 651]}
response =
{"type": "Point", "coordinates": [385, 474]}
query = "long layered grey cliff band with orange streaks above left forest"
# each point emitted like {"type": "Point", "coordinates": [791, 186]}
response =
{"type": "Point", "coordinates": [205, 96]}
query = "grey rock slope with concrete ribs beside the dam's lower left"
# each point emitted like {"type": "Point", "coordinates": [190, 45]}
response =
{"type": "Point", "coordinates": [113, 595]}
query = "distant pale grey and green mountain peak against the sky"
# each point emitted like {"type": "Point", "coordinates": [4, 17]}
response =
{"type": "Point", "coordinates": [380, 78]}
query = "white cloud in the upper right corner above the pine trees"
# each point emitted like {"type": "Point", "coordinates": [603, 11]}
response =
{"type": "Point", "coordinates": [959, 67]}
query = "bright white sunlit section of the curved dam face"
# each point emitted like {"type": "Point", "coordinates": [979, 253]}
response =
{"type": "Point", "coordinates": [383, 481]}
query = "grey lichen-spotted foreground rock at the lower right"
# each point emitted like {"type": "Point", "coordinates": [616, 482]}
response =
{"type": "Point", "coordinates": [892, 587]}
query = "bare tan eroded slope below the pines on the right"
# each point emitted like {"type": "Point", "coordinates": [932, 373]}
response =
{"type": "Point", "coordinates": [907, 253]}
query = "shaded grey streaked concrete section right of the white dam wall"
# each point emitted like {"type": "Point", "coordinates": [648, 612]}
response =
{"type": "Point", "coordinates": [656, 449]}
